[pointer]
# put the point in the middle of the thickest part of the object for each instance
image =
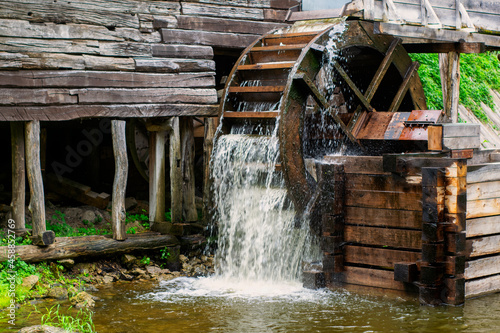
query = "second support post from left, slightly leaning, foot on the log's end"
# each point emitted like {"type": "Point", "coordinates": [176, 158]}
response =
{"type": "Point", "coordinates": [37, 201]}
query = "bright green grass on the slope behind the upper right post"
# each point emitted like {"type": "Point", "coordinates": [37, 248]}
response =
{"type": "Point", "coordinates": [479, 74]}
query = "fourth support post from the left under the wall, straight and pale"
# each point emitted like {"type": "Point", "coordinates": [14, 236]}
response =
{"type": "Point", "coordinates": [157, 142]}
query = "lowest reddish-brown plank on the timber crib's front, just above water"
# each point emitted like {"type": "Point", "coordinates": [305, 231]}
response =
{"type": "Point", "coordinates": [371, 277]}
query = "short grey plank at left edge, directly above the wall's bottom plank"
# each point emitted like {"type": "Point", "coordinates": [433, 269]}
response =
{"type": "Point", "coordinates": [15, 96]}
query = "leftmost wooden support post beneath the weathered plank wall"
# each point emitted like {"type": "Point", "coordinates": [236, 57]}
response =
{"type": "Point", "coordinates": [18, 175]}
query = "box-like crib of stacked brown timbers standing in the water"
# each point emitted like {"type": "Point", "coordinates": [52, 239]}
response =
{"type": "Point", "coordinates": [428, 223]}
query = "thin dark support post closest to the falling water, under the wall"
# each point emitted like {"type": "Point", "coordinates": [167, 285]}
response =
{"type": "Point", "coordinates": [208, 146]}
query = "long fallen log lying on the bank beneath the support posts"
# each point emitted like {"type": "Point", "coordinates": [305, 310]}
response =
{"type": "Point", "coordinates": [72, 247]}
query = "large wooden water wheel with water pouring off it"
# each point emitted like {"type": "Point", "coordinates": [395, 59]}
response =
{"type": "Point", "coordinates": [320, 79]}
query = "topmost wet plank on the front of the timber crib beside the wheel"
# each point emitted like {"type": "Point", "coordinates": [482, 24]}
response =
{"type": "Point", "coordinates": [359, 164]}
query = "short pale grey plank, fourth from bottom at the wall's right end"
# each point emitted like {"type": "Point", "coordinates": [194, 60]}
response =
{"type": "Point", "coordinates": [174, 65]}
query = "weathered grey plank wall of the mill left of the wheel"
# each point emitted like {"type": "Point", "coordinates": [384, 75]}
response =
{"type": "Point", "coordinates": [122, 58]}
